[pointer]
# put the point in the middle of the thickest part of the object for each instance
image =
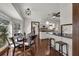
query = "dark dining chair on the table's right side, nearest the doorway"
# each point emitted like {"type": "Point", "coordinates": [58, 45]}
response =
{"type": "Point", "coordinates": [28, 46]}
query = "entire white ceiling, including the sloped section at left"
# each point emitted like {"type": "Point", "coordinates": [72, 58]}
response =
{"type": "Point", "coordinates": [38, 10]}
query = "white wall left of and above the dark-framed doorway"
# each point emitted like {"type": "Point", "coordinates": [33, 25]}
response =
{"type": "Point", "coordinates": [27, 22]}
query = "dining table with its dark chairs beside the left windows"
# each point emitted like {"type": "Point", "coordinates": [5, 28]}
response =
{"type": "Point", "coordinates": [14, 45]}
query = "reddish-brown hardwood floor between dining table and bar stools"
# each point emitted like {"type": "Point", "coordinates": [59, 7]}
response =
{"type": "Point", "coordinates": [43, 50]}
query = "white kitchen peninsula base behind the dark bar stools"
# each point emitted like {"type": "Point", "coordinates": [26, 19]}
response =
{"type": "Point", "coordinates": [67, 40]}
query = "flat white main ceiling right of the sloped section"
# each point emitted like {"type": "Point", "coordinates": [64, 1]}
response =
{"type": "Point", "coordinates": [38, 10]}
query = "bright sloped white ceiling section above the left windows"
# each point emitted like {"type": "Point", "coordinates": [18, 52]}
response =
{"type": "Point", "coordinates": [9, 10]}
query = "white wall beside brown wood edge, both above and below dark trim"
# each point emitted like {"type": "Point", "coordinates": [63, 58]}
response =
{"type": "Point", "coordinates": [66, 16]}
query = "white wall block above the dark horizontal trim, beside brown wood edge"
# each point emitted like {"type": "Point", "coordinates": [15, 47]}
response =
{"type": "Point", "coordinates": [65, 13]}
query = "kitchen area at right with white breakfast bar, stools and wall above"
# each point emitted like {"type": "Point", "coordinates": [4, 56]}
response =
{"type": "Point", "coordinates": [59, 27]}
